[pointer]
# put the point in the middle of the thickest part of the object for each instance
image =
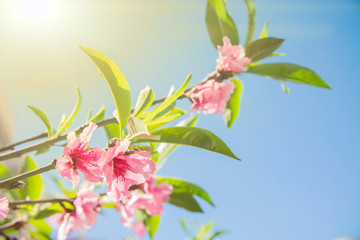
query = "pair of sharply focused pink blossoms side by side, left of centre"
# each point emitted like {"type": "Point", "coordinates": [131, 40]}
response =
{"type": "Point", "coordinates": [120, 167]}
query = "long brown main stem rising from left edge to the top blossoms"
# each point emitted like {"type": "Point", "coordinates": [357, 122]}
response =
{"type": "Point", "coordinates": [216, 75]}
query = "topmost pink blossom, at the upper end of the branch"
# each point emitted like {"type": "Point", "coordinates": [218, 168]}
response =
{"type": "Point", "coordinates": [231, 58]}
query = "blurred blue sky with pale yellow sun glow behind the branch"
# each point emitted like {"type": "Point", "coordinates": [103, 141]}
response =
{"type": "Point", "coordinates": [299, 178]}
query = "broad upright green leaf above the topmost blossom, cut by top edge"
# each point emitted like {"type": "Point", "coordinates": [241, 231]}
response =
{"type": "Point", "coordinates": [219, 23]}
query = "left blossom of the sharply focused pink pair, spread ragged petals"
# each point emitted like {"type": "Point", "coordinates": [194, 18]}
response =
{"type": "Point", "coordinates": [77, 156]}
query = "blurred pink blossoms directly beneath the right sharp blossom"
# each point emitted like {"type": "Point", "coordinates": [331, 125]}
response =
{"type": "Point", "coordinates": [149, 197]}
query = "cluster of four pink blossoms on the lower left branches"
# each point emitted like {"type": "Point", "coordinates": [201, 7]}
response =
{"type": "Point", "coordinates": [121, 168]}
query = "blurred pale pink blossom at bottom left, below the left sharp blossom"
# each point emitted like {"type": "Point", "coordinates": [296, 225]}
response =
{"type": "Point", "coordinates": [86, 207]}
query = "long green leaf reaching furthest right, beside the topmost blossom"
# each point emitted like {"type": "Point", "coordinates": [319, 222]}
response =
{"type": "Point", "coordinates": [289, 72]}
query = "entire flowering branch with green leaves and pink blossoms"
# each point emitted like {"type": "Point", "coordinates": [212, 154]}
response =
{"type": "Point", "coordinates": [138, 144]}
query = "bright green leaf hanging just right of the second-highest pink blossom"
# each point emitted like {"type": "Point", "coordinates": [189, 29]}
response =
{"type": "Point", "coordinates": [233, 105]}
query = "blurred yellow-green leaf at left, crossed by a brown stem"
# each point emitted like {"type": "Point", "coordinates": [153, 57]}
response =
{"type": "Point", "coordinates": [34, 186]}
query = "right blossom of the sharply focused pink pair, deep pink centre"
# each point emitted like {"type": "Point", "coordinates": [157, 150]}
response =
{"type": "Point", "coordinates": [123, 169]}
